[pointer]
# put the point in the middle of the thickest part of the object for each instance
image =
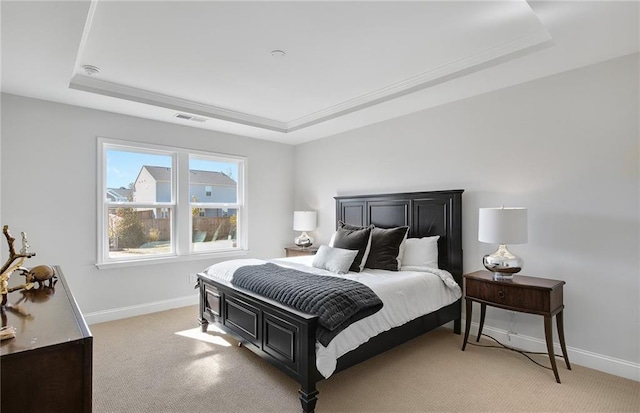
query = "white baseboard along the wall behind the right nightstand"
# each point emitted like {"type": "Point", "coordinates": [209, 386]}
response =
{"type": "Point", "coordinates": [611, 365]}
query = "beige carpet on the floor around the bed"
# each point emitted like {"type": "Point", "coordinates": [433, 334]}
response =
{"type": "Point", "coordinates": [162, 363]}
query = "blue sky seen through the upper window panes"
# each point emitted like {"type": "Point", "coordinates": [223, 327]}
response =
{"type": "Point", "coordinates": [123, 167]}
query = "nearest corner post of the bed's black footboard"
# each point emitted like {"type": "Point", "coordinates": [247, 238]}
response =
{"type": "Point", "coordinates": [308, 375]}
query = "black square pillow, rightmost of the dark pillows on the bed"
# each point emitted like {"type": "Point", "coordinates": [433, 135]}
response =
{"type": "Point", "coordinates": [385, 248]}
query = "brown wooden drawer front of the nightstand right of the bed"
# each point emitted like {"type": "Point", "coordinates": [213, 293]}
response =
{"type": "Point", "coordinates": [509, 297]}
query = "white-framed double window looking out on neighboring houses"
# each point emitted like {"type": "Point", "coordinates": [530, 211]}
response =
{"type": "Point", "coordinates": [159, 202]}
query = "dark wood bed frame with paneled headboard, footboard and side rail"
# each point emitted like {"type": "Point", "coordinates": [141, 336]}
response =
{"type": "Point", "coordinates": [286, 337]}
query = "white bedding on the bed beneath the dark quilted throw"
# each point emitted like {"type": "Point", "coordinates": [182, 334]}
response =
{"type": "Point", "coordinates": [406, 294]}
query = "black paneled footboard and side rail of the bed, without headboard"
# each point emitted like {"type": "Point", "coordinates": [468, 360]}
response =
{"type": "Point", "coordinates": [286, 338]}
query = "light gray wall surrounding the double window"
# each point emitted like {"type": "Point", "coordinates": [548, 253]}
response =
{"type": "Point", "coordinates": [49, 191]}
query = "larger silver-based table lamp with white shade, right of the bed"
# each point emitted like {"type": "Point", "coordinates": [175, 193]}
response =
{"type": "Point", "coordinates": [502, 226]}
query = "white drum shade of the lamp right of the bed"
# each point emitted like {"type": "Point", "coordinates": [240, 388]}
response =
{"type": "Point", "coordinates": [502, 225]}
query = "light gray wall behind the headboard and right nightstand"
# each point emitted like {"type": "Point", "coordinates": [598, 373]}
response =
{"type": "Point", "coordinates": [565, 146]}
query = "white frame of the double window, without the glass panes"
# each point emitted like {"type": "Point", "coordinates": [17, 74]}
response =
{"type": "Point", "coordinates": [180, 206]}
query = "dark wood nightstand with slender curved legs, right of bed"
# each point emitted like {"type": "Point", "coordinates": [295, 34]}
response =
{"type": "Point", "coordinates": [524, 294]}
